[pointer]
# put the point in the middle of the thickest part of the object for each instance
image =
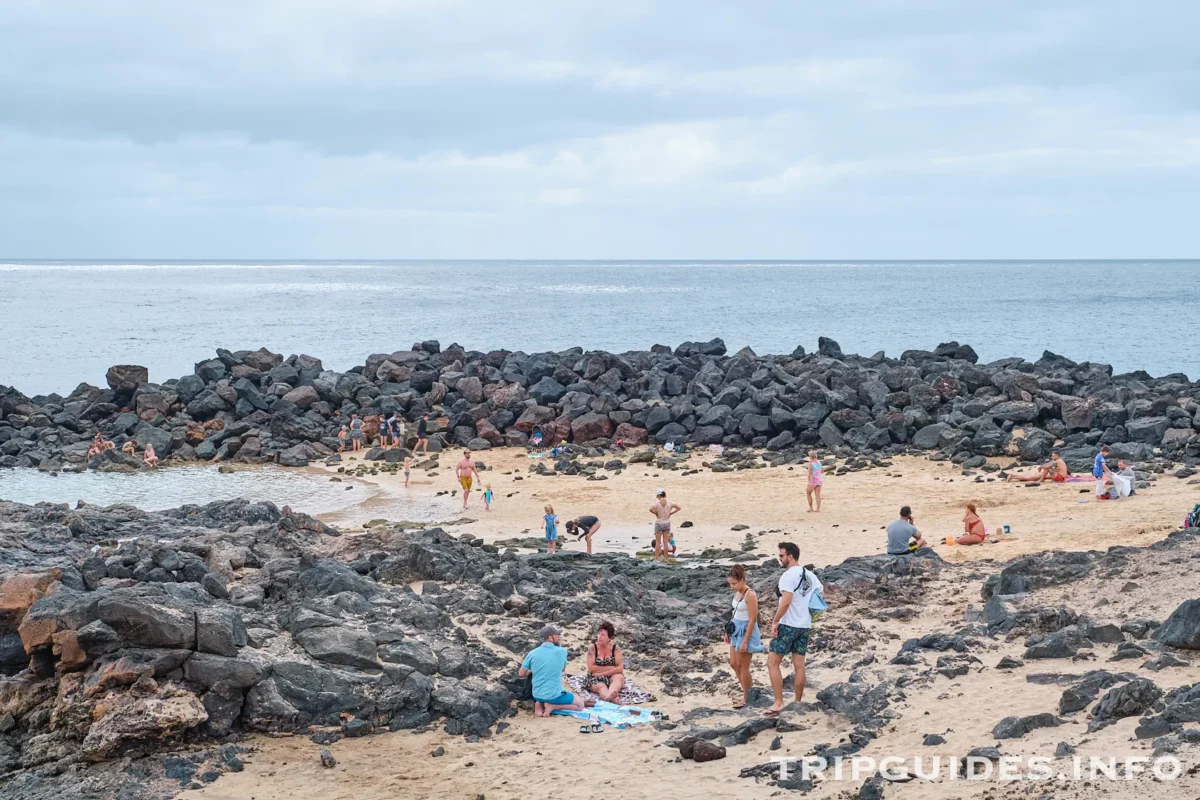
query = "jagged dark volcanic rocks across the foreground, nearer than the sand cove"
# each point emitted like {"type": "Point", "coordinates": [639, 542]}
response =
{"type": "Point", "coordinates": [157, 641]}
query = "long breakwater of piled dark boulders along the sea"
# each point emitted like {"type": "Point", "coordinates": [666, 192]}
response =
{"type": "Point", "coordinates": [257, 407]}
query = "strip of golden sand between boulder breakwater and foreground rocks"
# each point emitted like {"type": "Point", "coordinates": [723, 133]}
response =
{"type": "Point", "coordinates": [772, 503]}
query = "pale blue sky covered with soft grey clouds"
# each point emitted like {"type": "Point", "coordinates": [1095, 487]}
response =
{"type": "Point", "coordinates": [623, 129]}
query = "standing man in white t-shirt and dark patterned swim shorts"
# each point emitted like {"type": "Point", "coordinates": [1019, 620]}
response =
{"type": "Point", "coordinates": [790, 629]}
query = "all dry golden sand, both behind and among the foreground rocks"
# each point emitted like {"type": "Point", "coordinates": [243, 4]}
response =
{"type": "Point", "coordinates": [541, 759]}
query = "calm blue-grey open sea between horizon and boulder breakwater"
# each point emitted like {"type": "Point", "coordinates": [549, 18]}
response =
{"type": "Point", "coordinates": [67, 322]}
